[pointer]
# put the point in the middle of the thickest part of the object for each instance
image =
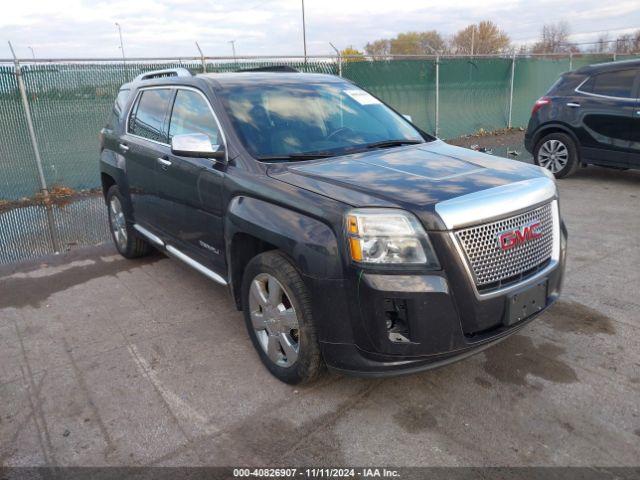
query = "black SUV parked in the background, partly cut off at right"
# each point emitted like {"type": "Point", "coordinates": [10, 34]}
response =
{"type": "Point", "coordinates": [589, 116]}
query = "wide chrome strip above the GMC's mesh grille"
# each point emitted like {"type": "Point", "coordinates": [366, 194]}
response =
{"type": "Point", "coordinates": [484, 205]}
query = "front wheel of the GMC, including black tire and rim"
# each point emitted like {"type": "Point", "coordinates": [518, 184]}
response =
{"type": "Point", "coordinates": [275, 301]}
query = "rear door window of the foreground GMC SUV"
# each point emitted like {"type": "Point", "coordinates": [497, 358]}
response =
{"type": "Point", "coordinates": [147, 117]}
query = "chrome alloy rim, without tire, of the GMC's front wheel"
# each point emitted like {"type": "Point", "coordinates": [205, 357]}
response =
{"type": "Point", "coordinates": [274, 320]}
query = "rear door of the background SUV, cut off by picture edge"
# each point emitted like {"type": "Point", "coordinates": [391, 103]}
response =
{"type": "Point", "coordinates": [606, 105]}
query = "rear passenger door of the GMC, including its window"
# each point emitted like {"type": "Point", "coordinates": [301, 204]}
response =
{"type": "Point", "coordinates": [145, 140]}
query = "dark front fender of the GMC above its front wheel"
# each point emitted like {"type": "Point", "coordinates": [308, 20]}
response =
{"type": "Point", "coordinates": [311, 244]}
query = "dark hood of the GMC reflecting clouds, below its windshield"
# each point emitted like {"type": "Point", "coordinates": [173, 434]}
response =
{"type": "Point", "coordinates": [415, 177]}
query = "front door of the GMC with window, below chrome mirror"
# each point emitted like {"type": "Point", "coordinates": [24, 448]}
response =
{"type": "Point", "coordinates": [190, 189]}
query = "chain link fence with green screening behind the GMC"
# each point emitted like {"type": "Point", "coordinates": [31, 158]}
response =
{"type": "Point", "coordinates": [70, 101]}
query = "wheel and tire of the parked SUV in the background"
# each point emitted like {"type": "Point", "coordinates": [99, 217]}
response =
{"type": "Point", "coordinates": [550, 152]}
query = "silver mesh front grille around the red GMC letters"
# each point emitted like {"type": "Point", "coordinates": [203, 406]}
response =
{"type": "Point", "coordinates": [493, 267]}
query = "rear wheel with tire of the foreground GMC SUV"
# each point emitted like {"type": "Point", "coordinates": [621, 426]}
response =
{"type": "Point", "coordinates": [127, 241]}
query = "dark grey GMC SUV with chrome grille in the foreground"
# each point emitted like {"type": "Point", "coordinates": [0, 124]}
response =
{"type": "Point", "coordinates": [346, 235]}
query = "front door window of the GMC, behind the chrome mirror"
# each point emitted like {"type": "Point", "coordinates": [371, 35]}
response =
{"type": "Point", "coordinates": [191, 114]}
